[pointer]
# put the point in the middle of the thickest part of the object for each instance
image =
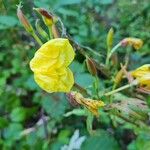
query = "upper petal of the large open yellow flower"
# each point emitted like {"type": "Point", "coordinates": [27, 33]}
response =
{"type": "Point", "coordinates": [53, 54]}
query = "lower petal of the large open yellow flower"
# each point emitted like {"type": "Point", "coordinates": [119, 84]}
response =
{"type": "Point", "coordinates": [55, 82]}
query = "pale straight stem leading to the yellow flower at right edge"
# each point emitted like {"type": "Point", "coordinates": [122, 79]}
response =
{"type": "Point", "coordinates": [122, 88]}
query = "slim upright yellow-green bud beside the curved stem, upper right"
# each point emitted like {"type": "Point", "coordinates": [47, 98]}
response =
{"type": "Point", "coordinates": [110, 36]}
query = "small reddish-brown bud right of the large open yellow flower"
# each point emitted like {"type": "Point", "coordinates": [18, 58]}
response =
{"type": "Point", "coordinates": [91, 66]}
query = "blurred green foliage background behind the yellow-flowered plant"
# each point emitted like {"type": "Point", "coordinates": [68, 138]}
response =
{"type": "Point", "coordinates": [22, 101]}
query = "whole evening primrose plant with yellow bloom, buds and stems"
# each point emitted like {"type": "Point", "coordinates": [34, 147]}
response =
{"type": "Point", "coordinates": [51, 68]}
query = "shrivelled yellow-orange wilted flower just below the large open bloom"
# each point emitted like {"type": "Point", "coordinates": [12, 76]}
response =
{"type": "Point", "coordinates": [90, 104]}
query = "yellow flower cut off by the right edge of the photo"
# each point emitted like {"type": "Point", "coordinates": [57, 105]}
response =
{"type": "Point", "coordinates": [142, 74]}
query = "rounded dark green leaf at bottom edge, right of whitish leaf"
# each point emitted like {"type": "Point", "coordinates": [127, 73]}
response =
{"type": "Point", "coordinates": [103, 141]}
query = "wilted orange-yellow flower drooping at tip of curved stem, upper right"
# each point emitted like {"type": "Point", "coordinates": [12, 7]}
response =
{"type": "Point", "coordinates": [135, 42]}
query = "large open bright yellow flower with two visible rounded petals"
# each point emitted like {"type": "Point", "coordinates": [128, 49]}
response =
{"type": "Point", "coordinates": [50, 66]}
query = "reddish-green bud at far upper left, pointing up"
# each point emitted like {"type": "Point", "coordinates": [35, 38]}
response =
{"type": "Point", "coordinates": [24, 20]}
